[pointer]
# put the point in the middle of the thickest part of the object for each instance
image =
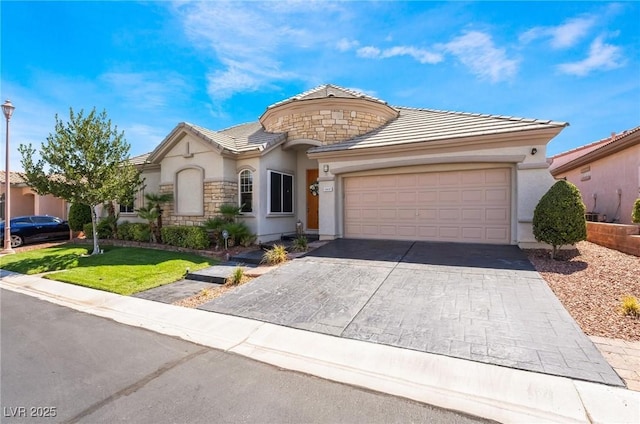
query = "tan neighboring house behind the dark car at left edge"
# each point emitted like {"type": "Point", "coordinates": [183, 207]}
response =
{"type": "Point", "coordinates": [25, 201]}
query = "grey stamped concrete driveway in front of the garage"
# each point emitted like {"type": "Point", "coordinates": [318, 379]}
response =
{"type": "Point", "coordinates": [483, 303]}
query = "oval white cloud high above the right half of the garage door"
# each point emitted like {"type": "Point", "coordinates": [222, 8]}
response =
{"type": "Point", "coordinates": [477, 52]}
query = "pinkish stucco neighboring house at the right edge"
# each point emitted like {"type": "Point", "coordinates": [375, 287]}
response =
{"type": "Point", "coordinates": [607, 173]}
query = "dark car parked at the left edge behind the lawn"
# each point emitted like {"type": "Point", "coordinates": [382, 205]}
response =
{"type": "Point", "coordinates": [35, 228]}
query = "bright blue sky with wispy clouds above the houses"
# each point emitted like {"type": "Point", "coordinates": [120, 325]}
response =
{"type": "Point", "coordinates": [152, 65]}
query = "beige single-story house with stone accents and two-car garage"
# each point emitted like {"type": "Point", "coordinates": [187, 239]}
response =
{"type": "Point", "coordinates": [346, 164]}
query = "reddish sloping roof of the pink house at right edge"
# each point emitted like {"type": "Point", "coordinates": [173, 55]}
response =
{"type": "Point", "coordinates": [582, 155]}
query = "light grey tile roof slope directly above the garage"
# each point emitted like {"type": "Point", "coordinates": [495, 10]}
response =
{"type": "Point", "coordinates": [419, 125]}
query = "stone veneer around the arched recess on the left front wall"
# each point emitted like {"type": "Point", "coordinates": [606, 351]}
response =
{"type": "Point", "coordinates": [215, 194]}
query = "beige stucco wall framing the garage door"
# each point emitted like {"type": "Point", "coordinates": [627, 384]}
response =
{"type": "Point", "coordinates": [530, 177]}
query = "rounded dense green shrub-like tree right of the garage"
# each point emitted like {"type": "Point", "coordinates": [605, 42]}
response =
{"type": "Point", "coordinates": [558, 219]}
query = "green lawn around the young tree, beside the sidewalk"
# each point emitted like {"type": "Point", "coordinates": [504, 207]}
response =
{"type": "Point", "coordinates": [122, 270]}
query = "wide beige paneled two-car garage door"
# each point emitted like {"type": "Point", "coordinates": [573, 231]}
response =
{"type": "Point", "coordinates": [463, 206]}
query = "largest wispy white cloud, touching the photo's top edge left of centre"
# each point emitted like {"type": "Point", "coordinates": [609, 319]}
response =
{"type": "Point", "coordinates": [251, 41]}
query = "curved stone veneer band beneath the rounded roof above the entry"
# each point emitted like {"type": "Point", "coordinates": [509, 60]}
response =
{"type": "Point", "coordinates": [328, 126]}
